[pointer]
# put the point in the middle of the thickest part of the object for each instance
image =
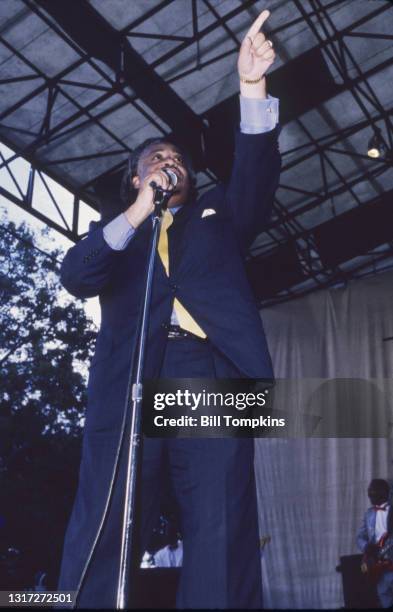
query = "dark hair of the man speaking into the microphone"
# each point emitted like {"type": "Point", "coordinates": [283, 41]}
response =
{"type": "Point", "coordinates": [128, 192]}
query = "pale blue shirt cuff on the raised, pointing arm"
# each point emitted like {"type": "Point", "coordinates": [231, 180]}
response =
{"type": "Point", "coordinates": [258, 115]}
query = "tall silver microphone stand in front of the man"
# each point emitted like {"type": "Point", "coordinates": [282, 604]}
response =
{"type": "Point", "coordinates": [134, 403]}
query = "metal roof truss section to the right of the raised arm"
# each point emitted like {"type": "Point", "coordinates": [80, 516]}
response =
{"type": "Point", "coordinates": [333, 42]}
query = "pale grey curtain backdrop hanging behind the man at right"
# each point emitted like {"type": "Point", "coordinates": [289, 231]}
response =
{"type": "Point", "coordinates": [312, 492]}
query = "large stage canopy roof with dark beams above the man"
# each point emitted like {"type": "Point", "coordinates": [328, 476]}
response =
{"type": "Point", "coordinates": [83, 82]}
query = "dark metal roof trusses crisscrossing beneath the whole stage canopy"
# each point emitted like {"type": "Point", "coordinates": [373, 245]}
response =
{"type": "Point", "coordinates": [132, 81]}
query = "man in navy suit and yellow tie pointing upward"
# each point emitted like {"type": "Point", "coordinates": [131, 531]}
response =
{"type": "Point", "coordinates": [204, 324]}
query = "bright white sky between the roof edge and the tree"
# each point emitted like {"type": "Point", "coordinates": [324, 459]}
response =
{"type": "Point", "coordinates": [42, 202]}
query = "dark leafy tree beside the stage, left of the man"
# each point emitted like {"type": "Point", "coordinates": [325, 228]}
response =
{"type": "Point", "coordinates": [46, 341]}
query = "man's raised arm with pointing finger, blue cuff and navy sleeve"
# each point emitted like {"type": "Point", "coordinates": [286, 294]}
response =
{"type": "Point", "coordinates": [257, 162]}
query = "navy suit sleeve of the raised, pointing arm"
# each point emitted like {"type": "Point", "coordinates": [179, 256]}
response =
{"type": "Point", "coordinates": [254, 179]}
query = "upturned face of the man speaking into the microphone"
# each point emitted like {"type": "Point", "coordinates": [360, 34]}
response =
{"type": "Point", "coordinates": [164, 155]}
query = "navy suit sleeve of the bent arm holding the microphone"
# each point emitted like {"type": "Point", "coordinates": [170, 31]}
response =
{"type": "Point", "coordinates": [87, 267]}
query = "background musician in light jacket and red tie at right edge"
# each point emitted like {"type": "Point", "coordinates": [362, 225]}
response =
{"type": "Point", "coordinates": [376, 527]}
